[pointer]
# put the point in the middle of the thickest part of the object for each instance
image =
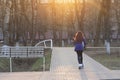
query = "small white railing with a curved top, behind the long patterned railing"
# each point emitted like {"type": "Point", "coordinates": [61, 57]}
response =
{"type": "Point", "coordinates": [46, 43]}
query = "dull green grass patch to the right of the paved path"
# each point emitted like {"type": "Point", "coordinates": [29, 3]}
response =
{"type": "Point", "coordinates": [111, 61]}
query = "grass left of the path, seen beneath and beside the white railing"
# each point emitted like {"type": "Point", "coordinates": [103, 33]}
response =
{"type": "Point", "coordinates": [26, 64]}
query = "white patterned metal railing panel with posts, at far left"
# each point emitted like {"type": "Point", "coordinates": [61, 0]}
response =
{"type": "Point", "coordinates": [22, 52]}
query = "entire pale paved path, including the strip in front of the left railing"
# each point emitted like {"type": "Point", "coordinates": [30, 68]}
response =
{"type": "Point", "coordinates": [64, 66]}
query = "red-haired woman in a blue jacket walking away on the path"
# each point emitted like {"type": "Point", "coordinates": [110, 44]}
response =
{"type": "Point", "coordinates": [79, 41]}
